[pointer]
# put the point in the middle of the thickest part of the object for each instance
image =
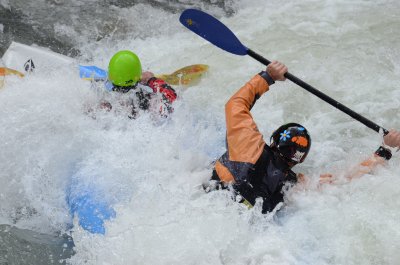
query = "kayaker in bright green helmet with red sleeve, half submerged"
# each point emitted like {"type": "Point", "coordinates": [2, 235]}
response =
{"type": "Point", "coordinates": [125, 76]}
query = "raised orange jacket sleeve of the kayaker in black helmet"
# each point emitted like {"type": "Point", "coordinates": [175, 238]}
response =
{"type": "Point", "coordinates": [245, 142]}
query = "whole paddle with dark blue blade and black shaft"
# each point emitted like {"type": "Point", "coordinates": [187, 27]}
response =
{"type": "Point", "coordinates": [211, 29]}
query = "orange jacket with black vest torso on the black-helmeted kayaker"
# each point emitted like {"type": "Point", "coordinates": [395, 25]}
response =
{"type": "Point", "coordinates": [253, 168]}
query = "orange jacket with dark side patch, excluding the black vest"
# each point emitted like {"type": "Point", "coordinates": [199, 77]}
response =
{"type": "Point", "coordinates": [244, 142]}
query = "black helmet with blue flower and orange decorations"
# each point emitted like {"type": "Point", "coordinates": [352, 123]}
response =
{"type": "Point", "coordinates": [292, 141]}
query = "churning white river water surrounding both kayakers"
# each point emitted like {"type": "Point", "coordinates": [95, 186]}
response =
{"type": "Point", "coordinates": [153, 170]}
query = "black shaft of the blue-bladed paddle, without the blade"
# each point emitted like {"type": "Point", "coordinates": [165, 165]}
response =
{"type": "Point", "coordinates": [322, 96]}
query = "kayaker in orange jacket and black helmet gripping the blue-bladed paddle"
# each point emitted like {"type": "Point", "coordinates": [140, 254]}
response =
{"type": "Point", "coordinates": [254, 169]}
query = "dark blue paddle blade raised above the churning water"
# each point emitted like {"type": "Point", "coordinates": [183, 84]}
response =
{"type": "Point", "coordinates": [211, 29]}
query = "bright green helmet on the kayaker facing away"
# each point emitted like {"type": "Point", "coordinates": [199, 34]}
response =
{"type": "Point", "coordinates": [124, 69]}
